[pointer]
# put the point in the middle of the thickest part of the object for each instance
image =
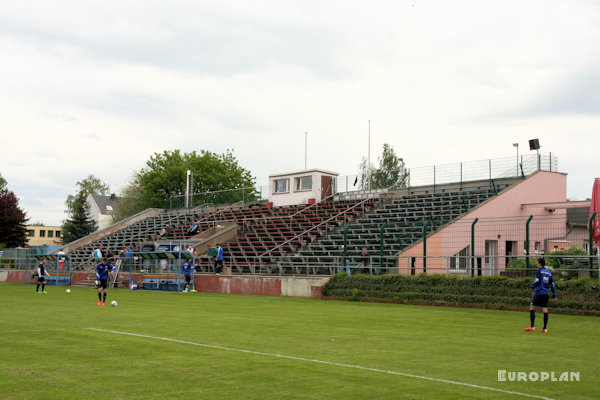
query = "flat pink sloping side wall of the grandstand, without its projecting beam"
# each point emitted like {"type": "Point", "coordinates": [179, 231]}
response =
{"type": "Point", "coordinates": [502, 219]}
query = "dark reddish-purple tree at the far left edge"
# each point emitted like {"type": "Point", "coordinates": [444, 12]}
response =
{"type": "Point", "coordinates": [13, 232]}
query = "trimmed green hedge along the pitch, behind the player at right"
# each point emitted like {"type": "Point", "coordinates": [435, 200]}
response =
{"type": "Point", "coordinates": [578, 296]}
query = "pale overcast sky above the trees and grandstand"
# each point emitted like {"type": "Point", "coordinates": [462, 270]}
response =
{"type": "Point", "coordinates": [97, 87]}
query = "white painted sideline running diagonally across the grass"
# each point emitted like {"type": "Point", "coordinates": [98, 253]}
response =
{"type": "Point", "coordinates": [260, 353]}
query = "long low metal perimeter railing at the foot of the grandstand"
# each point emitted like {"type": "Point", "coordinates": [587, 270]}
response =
{"type": "Point", "coordinates": [564, 267]}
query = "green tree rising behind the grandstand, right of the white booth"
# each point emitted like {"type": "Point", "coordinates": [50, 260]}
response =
{"type": "Point", "coordinates": [391, 171]}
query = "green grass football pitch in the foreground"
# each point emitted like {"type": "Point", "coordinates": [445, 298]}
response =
{"type": "Point", "coordinates": [168, 345]}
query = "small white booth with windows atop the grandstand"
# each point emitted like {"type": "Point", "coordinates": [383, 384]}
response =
{"type": "Point", "coordinates": [298, 187]}
